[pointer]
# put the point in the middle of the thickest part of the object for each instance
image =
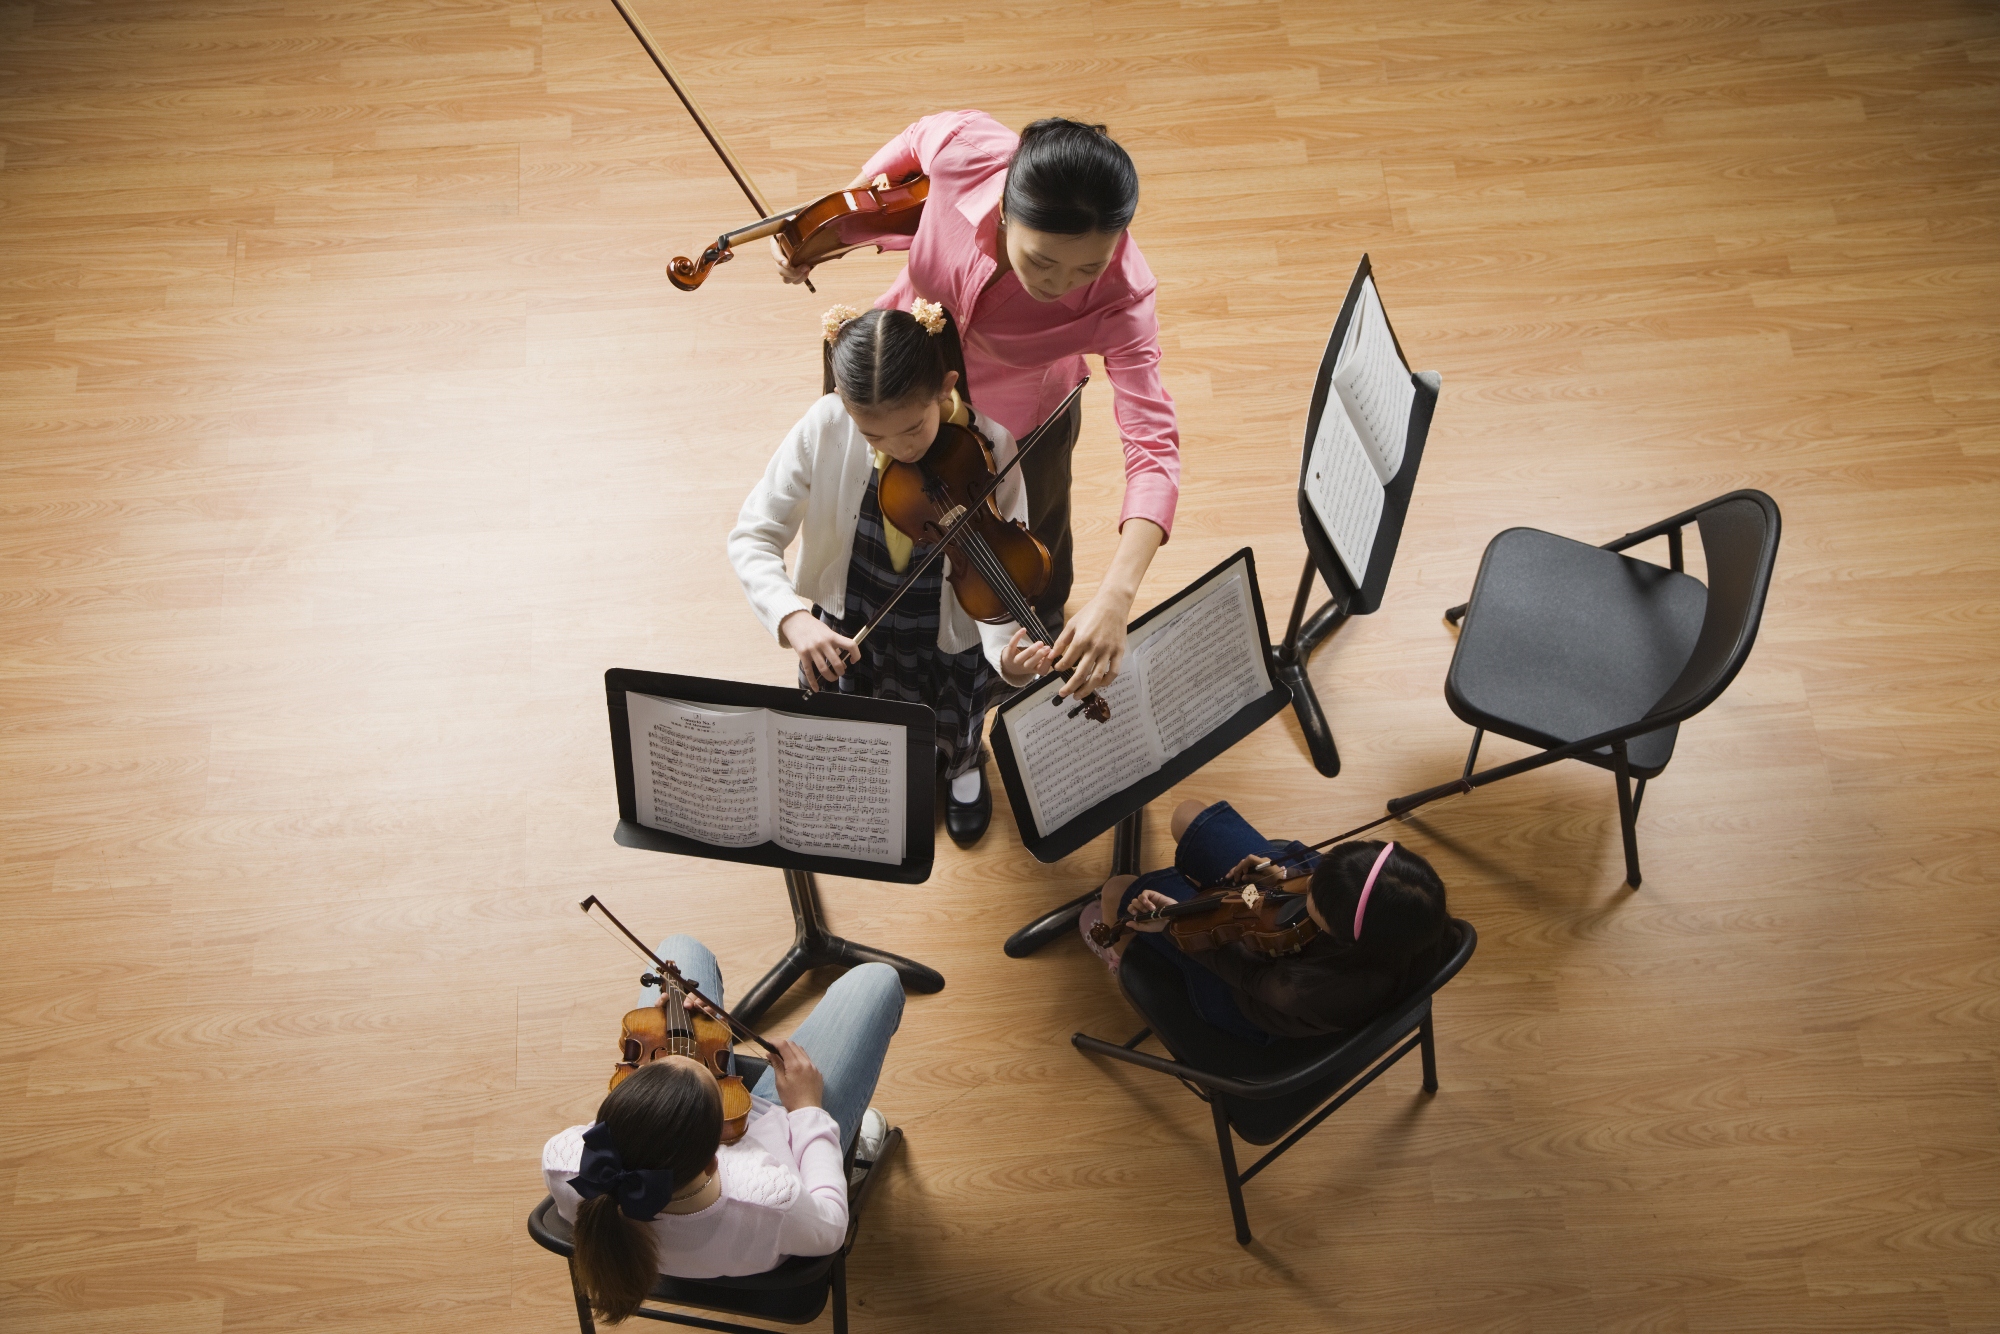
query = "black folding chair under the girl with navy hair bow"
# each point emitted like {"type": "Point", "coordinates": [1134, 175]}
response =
{"type": "Point", "coordinates": [795, 1293]}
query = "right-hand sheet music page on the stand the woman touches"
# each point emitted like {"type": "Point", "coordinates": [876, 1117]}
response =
{"type": "Point", "coordinates": [1203, 665]}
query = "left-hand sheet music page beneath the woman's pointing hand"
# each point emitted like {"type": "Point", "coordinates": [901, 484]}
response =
{"type": "Point", "coordinates": [1071, 765]}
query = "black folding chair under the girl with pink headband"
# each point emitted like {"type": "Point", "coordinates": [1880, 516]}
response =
{"type": "Point", "coordinates": [1287, 1089]}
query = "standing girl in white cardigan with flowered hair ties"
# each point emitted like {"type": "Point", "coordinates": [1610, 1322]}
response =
{"type": "Point", "coordinates": [893, 393]}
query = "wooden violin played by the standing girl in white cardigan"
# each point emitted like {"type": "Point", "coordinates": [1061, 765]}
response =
{"type": "Point", "coordinates": [999, 567]}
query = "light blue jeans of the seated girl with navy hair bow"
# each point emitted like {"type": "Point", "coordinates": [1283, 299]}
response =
{"type": "Point", "coordinates": [847, 1035]}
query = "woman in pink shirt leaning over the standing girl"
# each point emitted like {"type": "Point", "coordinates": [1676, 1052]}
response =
{"type": "Point", "coordinates": [1025, 243]}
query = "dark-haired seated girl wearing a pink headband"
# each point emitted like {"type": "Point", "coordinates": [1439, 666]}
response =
{"type": "Point", "coordinates": [1379, 907]}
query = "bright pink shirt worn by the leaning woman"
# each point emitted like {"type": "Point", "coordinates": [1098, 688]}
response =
{"type": "Point", "coordinates": [1025, 355]}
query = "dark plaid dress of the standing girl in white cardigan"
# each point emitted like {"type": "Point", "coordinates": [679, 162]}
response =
{"type": "Point", "coordinates": [903, 661]}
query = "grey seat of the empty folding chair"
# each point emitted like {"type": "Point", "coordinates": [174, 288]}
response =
{"type": "Point", "coordinates": [1565, 641]}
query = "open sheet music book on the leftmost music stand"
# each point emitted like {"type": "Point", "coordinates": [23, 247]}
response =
{"type": "Point", "coordinates": [743, 777]}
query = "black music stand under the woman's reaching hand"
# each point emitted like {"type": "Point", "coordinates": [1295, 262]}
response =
{"type": "Point", "coordinates": [1125, 811]}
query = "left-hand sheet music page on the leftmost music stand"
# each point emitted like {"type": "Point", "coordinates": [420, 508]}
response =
{"type": "Point", "coordinates": [699, 773]}
